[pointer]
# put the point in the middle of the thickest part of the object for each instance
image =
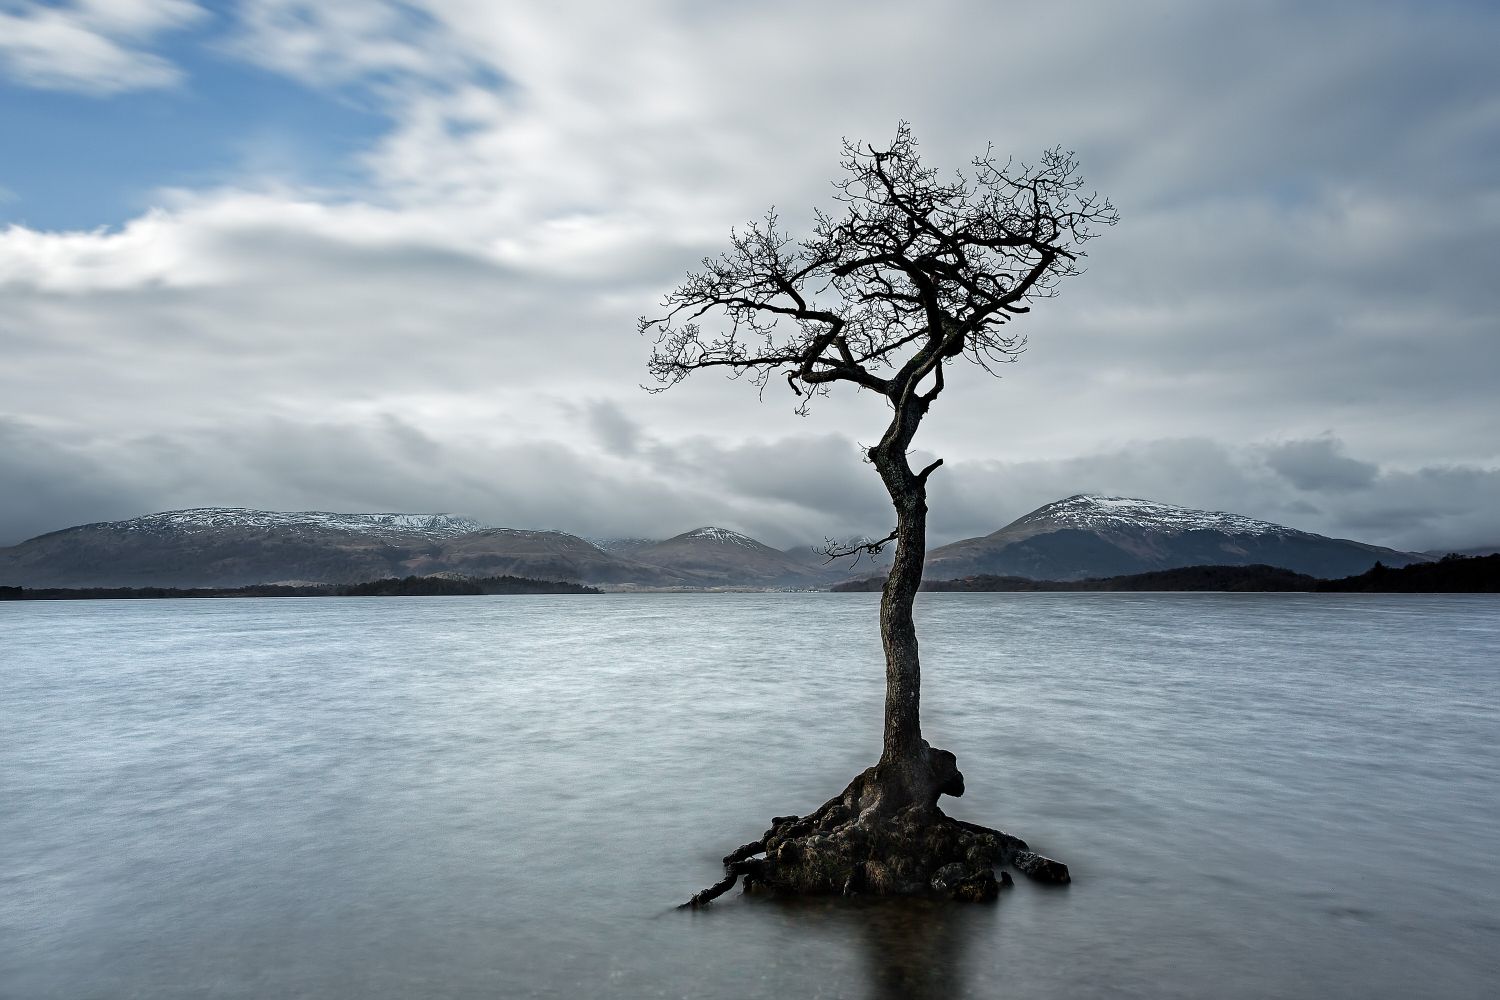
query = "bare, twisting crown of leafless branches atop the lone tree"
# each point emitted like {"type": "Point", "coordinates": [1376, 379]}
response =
{"type": "Point", "coordinates": [913, 271]}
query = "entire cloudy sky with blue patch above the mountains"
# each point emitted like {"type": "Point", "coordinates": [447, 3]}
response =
{"type": "Point", "coordinates": [388, 257]}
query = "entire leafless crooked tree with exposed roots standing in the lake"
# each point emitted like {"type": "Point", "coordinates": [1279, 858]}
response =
{"type": "Point", "coordinates": [913, 272]}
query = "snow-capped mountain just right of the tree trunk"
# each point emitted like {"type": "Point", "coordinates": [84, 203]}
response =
{"type": "Point", "coordinates": [1090, 536]}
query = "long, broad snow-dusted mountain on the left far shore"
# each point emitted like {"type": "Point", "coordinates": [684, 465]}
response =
{"type": "Point", "coordinates": [236, 548]}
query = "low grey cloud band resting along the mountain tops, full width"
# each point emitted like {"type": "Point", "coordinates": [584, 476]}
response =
{"type": "Point", "coordinates": [784, 491]}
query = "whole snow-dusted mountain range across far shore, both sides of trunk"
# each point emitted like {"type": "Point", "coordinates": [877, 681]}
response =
{"type": "Point", "coordinates": [1078, 537]}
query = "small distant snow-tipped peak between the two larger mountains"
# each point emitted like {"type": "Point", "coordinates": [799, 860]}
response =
{"type": "Point", "coordinates": [718, 557]}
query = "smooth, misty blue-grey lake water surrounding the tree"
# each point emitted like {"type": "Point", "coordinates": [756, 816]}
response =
{"type": "Point", "coordinates": [1259, 795]}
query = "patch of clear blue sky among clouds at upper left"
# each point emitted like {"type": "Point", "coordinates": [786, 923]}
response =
{"type": "Point", "coordinates": [80, 161]}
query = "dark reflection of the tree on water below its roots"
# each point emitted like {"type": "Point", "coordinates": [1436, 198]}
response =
{"type": "Point", "coordinates": [908, 950]}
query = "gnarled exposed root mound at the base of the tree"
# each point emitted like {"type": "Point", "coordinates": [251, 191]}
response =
{"type": "Point", "coordinates": [884, 836]}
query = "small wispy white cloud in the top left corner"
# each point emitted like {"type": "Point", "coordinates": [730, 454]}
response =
{"type": "Point", "coordinates": [91, 46]}
